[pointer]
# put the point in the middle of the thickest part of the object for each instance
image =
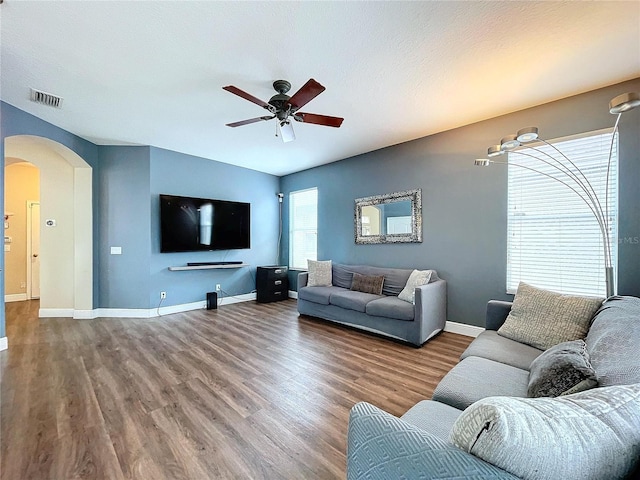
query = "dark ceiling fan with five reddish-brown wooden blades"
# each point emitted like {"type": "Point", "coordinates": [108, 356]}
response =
{"type": "Point", "coordinates": [283, 107]}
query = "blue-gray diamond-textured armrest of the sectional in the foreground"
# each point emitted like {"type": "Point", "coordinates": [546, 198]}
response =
{"type": "Point", "coordinates": [381, 446]}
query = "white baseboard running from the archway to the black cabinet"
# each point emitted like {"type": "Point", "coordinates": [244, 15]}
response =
{"type": "Point", "coordinates": [139, 312]}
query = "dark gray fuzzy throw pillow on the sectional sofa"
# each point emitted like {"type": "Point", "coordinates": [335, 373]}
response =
{"type": "Point", "coordinates": [561, 370]}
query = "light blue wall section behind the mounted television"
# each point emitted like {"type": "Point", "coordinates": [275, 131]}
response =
{"type": "Point", "coordinates": [180, 174]}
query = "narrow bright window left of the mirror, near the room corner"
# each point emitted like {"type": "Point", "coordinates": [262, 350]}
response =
{"type": "Point", "coordinates": [303, 227]}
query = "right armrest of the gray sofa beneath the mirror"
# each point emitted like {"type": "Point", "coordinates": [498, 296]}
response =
{"type": "Point", "coordinates": [430, 309]}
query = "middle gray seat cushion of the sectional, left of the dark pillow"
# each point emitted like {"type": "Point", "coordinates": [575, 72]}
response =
{"type": "Point", "coordinates": [475, 378]}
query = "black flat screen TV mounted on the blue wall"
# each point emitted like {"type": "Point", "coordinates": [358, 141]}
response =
{"type": "Point", "coordinates": [199, 224]}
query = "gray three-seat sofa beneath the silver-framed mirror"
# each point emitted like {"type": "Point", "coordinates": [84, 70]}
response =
{"type": "Point", "coordinates": [382, 314]}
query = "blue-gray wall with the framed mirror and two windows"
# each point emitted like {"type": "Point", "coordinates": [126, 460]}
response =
{"type": "Point", "coordinates": [464, 207]}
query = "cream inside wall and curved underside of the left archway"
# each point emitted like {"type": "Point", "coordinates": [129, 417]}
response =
{"type": "Point", "coordinates": [66, 268]}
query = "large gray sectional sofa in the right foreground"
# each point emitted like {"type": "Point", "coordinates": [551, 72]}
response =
{"type": "Point", "coordinates": [480, 423]}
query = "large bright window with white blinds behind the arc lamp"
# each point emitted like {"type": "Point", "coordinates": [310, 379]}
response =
{"type": "Point", "coordinates": [554, 240]}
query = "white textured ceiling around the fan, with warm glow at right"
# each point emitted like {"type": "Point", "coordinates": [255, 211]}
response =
{"type": "Point", "coordinates": [150, 73]}
